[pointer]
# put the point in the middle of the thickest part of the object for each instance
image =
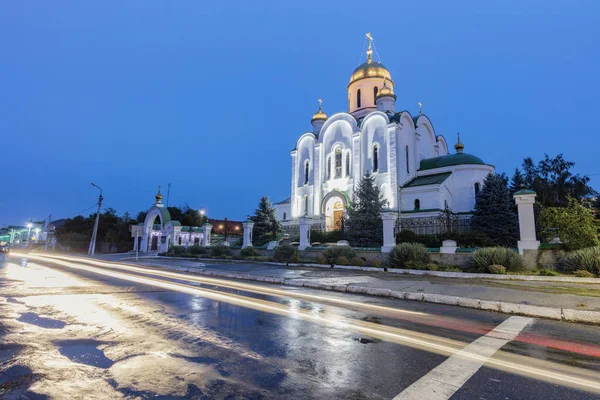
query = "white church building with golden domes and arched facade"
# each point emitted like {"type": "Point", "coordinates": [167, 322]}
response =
{"type": "Point", "coordinates": [417, 174]}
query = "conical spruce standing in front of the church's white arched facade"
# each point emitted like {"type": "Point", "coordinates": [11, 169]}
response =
{"type": "Point", "coordinates": [364, 225]}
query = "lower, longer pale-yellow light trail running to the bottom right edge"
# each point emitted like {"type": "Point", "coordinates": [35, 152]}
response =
{"type": "Point", "coordinates": [533, 368]}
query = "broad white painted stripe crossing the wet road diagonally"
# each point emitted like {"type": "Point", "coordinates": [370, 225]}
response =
{"type": "Point", "coordinates": [445, 379]}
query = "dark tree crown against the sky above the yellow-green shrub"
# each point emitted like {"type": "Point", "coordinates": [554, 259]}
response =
{"type": "Point", "coordinates": [554, 182]}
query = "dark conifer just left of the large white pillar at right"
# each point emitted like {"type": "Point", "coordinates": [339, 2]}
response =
{"type": "Point", "coordinates": [494, 213]}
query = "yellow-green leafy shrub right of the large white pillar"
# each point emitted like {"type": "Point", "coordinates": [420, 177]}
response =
{"type": "Point", "coordinates": [574, 225]}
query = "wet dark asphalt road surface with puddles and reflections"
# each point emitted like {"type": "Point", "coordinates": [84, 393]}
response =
{"type": "Point", "coordinates": [68, 333]}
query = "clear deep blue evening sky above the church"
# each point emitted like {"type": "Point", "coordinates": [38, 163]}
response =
{"type": "Point", "coordinates": [212, 96]}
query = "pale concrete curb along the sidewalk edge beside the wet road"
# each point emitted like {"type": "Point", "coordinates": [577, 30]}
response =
{"type": "Point", "coordinates": [559, 314]}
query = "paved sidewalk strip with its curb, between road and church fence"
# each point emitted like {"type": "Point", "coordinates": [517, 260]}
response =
{"type": "Point", "coordinates": [569, 301]}
